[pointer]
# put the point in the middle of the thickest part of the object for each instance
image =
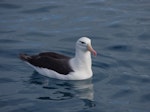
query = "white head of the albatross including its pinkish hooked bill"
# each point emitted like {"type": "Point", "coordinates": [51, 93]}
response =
{"type": "Point", "coordinates": [84, 44]}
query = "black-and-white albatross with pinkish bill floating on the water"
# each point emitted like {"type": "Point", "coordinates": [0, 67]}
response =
{"type": "Point", "coordinates": [63, 67]}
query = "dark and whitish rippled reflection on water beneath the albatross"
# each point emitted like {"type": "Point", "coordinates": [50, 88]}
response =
{"type": "Point", "coordinates": [64, 90]}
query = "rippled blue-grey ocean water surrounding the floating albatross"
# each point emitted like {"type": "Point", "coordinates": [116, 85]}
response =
{"type": "Point", "coordinates": [120, 33]}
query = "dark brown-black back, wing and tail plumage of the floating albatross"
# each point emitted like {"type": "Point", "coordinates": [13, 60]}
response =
{"type": "Point", "coordinates": [49, 60]}
